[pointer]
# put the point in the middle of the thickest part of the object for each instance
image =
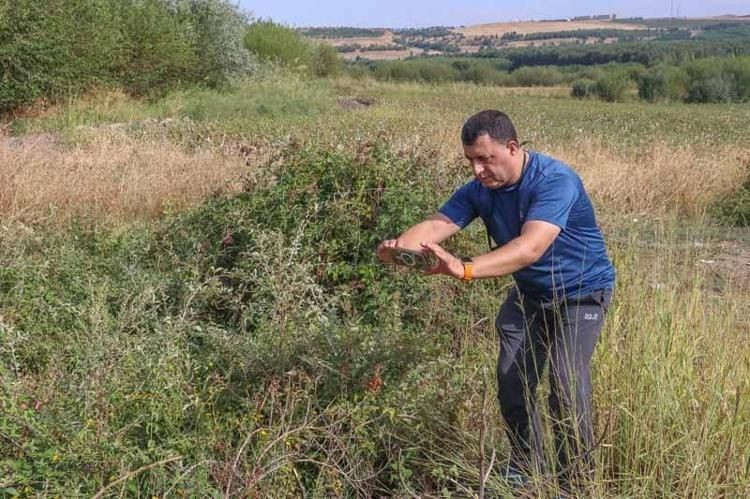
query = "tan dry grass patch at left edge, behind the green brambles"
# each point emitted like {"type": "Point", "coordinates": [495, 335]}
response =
{"type": "Point", "coordinates": [112, 177]}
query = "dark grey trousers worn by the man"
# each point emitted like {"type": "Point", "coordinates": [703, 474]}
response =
{"type": "Point", "coordinates": [531, 332]}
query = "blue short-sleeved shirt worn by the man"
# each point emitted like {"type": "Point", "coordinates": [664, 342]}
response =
{"type": "Point", "coordinates": [576, 263]}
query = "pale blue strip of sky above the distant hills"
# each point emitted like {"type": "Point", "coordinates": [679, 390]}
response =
{"type": "Point", "coordinates": [421, 13]}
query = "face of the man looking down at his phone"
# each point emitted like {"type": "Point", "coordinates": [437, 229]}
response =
{"type": "Point", "coordinates": [492, 162]}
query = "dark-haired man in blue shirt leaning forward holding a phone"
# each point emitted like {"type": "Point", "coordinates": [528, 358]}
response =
{"type": "Point", "coordinates": [536, 209]}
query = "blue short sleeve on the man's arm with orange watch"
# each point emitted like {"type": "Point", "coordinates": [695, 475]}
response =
{"type": "Point", "coordinates": [554, 199]}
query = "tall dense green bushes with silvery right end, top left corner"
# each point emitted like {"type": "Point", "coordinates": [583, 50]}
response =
{"type": "Point", "coordinates": [51, 49]}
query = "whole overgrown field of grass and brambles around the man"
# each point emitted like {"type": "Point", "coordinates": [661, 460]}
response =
{"type": "Point", "coordinates": [190, 303]}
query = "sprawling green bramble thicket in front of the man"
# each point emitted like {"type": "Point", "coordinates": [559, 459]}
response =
{"type": "Point", "coordinates": [169, 338]}
